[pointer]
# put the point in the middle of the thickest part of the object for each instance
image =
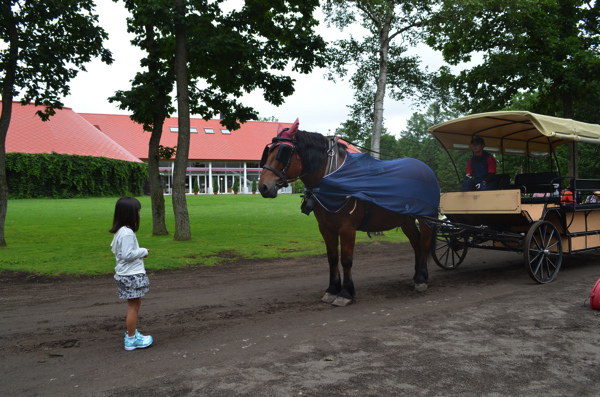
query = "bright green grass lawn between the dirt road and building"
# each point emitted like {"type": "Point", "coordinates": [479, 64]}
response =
{"type": "Point", "coordinates": [47, 236]}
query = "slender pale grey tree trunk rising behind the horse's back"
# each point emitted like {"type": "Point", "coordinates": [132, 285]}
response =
{"type": "Point", "coordinates": [384, 43]}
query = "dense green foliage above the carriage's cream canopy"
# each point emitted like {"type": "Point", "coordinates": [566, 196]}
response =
{"type": "Point", "coordinates": [547, 47]}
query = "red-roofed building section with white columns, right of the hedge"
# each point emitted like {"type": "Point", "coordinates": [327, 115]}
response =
{"type": "Point", "coordinates": [215, 152]}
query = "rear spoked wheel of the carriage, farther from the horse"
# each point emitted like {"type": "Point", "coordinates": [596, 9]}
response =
{"type": "Point", "coordinates": [543, 252]}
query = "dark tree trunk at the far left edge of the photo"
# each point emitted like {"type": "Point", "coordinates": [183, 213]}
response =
{"type": "Point", "coordinates": [10, 68]}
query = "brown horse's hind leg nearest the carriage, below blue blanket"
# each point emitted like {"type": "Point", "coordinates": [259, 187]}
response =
{"type": "Point", "coordinates": [420, 242]}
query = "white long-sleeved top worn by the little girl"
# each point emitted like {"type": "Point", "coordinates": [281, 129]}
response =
{"type": "Point", "coordinates": [128, 253]}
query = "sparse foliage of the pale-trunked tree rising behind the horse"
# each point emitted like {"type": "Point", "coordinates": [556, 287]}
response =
{"type": "Point", "coordinates": [379, 59]}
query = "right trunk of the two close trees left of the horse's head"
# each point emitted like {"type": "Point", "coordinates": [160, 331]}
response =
{"type": "Point", "coordinates": [182, 220]}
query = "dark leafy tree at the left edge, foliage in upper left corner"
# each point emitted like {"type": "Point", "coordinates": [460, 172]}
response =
{"type": "Point", "coordinates": [46, 43]}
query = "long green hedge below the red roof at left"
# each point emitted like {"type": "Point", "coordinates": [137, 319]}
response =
{"type": "Point", "coordinates": [68, 176]}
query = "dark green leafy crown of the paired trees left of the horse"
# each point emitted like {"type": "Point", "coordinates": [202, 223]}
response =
{"type": "Point", "coordinates": [228, 54]}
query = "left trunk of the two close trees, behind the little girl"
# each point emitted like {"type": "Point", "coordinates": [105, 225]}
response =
{"type": "Point", "coordinates": [159, 228]}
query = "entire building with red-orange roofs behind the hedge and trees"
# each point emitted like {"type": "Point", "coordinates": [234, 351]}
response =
{"type": "Point", "coordinates": [215, 152]}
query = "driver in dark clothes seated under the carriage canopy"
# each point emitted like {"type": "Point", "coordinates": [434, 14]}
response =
{"type": "Point", "coordinates": [481, 169]}
